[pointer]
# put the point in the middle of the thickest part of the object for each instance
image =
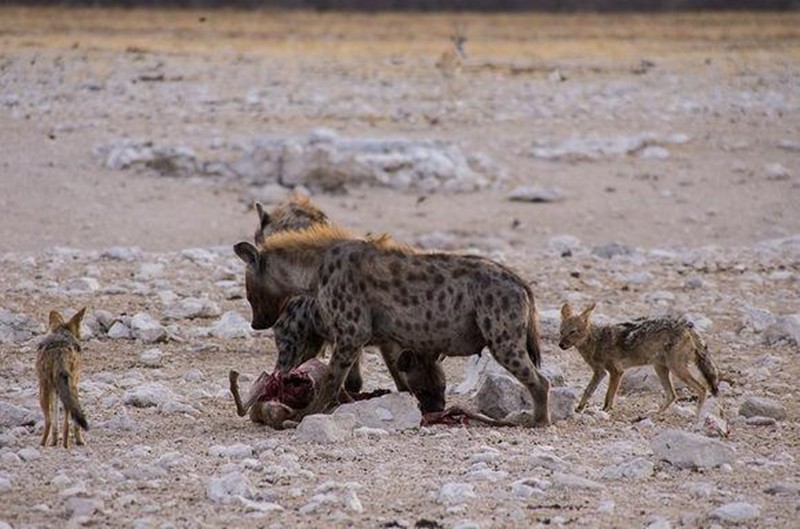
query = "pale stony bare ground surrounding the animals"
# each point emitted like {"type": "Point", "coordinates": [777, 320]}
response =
{"type": "Point", "coordinates": [707, 225]}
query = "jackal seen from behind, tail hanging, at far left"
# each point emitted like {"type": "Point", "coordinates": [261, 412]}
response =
{"type": "Point", "coordinates": [58, 364]}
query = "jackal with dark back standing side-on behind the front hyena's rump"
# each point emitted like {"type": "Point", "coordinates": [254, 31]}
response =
{"type": "Point", "coordinates": [668, 344]}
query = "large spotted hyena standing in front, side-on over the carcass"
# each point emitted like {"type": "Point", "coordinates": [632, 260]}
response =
{"type": "Point", "coordinates": [427, 303]}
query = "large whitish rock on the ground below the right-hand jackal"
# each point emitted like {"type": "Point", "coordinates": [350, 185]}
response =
{"type": "Point", "coordinates": [688, 450]}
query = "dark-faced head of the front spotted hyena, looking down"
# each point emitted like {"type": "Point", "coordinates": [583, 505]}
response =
{"type": "Point", "coordinates": [263, 292]}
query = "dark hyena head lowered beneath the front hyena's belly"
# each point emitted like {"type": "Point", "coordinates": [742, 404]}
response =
{"type": "Point", "coordinates": [425, 379]}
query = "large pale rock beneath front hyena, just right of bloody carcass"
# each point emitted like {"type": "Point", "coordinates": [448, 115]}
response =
{"type": "Point", "coordinates": [392, 412]}
